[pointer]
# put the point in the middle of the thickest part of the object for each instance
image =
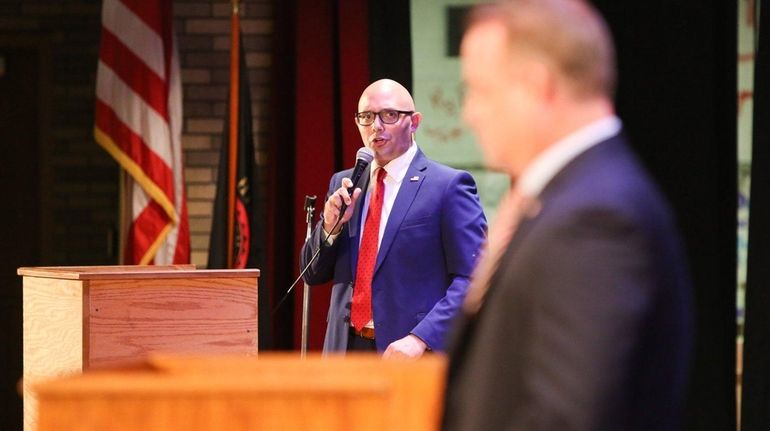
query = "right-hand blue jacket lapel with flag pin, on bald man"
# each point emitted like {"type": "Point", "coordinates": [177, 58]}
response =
{"type": "Point", "coordinates": [406, 194]}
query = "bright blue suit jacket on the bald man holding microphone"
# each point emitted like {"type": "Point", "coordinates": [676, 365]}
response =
{"type": "Point", "coordinates": [426, 256]}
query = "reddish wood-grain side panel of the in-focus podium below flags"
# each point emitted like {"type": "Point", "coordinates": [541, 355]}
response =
{"type": "Point", "coordinates": [129, 319]}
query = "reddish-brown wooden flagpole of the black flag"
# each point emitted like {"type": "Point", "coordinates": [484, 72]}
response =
{"type": "Point", "coordinates": [233, 127]}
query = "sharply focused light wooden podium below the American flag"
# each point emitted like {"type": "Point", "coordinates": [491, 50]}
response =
{"type": "Point", "coordinates": [84, 318]}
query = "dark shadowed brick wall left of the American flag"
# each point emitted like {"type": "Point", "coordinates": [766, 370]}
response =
{"type": "Point", "coordinates": [79, 181]}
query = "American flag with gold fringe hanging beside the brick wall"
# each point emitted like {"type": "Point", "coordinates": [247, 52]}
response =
{"type": "Point", "coordinates": [138, 121]}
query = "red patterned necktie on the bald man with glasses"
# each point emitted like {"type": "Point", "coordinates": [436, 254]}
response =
{"type": "Point", "coordinates": [361, 312]}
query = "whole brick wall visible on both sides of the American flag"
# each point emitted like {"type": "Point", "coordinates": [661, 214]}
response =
{"type": "Point", "coordinates": [80, 181]}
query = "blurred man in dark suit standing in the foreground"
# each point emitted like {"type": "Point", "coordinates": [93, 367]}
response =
{"type": "Point", "coordinates": [578, 316]}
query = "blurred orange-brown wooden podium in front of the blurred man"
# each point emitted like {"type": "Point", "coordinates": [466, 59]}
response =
{"type": "Point", "coordinates": [272, 392]}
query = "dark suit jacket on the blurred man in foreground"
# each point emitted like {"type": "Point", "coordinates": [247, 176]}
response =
{"type": "Point", "coordinates": [586, 325]}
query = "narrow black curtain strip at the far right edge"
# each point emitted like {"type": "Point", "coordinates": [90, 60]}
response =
{"type": "Point", "coordinates": [756, 364]}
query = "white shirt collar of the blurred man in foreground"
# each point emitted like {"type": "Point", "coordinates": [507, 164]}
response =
{"type": "Point", "coordinates": [546, 165]}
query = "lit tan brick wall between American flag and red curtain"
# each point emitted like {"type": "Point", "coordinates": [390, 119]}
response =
{"type": "Point", "coordinates": [203, 29]}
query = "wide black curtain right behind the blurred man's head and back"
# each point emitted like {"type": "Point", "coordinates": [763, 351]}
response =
{"type": "Point", "coordinates": [677, 98]}
